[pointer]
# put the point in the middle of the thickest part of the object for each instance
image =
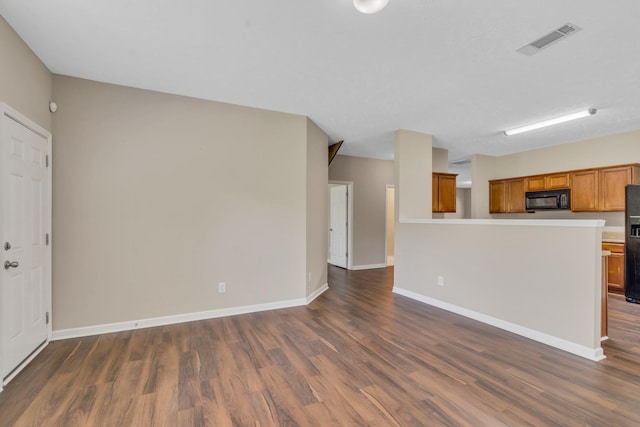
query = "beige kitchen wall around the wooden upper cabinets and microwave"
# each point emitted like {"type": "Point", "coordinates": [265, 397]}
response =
{"type": "Point", "coordinates": [610, 150]}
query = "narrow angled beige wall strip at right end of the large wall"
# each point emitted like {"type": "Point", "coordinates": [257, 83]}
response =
{"type": "Point", "coordinates": [317, 207]}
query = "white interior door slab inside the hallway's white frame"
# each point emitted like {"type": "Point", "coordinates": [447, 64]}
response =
{"type": "Point", "coordinates": [338, 225]}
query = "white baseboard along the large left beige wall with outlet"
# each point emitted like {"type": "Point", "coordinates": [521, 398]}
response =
{"type": "Point", "coordinates": [176, 318]}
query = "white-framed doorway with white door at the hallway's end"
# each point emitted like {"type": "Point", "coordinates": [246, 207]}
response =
{"type": "Point", "coordinates": [340, 218]}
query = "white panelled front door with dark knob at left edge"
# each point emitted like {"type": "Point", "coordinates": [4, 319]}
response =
{"type": "Point", "coordinates": [25, 263]}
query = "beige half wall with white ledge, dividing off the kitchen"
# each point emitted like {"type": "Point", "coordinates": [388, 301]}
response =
{"type": "Point", "coordinates": [518, 278]}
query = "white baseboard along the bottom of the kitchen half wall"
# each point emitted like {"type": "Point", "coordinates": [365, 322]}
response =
{"type": "Point", "coordinates": [595, 354]}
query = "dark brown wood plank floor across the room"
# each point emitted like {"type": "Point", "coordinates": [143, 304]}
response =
{"type": "Point", "coordinates": [358, 355]}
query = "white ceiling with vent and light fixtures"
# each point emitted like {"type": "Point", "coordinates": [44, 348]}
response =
{"type": "Point", "coordinates": [449, 68]}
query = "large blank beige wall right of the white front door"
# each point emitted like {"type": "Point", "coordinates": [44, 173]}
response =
{"type": "Point", "coordinates": [157, 198]}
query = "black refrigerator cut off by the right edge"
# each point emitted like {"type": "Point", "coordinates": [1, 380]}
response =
{"type": "Point", "coordinates": [632, 244]}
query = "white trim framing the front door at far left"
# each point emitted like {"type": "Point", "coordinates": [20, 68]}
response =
{"type": "Point", "coordinates": [9, 112]}
